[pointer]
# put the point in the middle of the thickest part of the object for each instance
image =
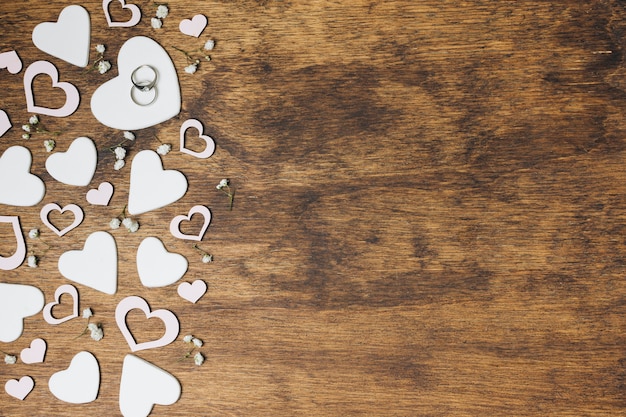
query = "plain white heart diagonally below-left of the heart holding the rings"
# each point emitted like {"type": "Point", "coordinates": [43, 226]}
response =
{"type": "Point", "coordinates": [77, 165]}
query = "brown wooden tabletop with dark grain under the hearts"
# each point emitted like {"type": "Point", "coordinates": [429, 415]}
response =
{"type": "Point", "coordinates": [430, 214]}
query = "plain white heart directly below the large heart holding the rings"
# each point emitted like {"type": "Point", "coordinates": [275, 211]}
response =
{"type": "Point", "coordinates": [152, 187]}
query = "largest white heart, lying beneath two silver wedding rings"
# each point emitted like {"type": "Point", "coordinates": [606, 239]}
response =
{"type": "Point", "coordinates": [112, 104]}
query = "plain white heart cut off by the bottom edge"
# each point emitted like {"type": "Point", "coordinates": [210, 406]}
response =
{"type": "Point", "coordinates": [143, 385]}
